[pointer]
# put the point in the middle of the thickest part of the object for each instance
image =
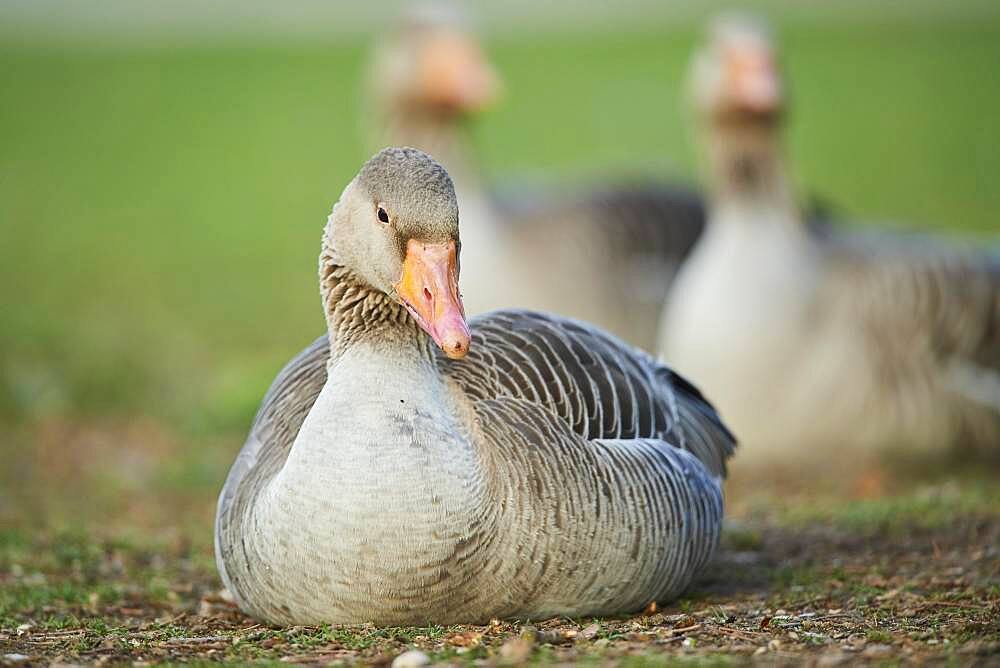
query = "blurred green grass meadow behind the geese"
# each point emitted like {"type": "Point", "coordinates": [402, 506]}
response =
{"type": "Point", "coordinates": [161, 206]}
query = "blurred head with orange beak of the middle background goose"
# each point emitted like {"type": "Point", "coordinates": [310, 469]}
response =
{"type": "Point", "coordinates": [432, 64]}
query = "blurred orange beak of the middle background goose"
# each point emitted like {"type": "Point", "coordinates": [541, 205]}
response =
{"type": "Point", "coordinates": [455, 75]}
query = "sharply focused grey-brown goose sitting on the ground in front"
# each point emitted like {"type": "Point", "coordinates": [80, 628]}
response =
{"type": "Point", "coordinates": [527, 466]}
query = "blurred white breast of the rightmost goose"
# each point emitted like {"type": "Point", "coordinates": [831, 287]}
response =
{"type": "Point", "coordinates": [741, 321]}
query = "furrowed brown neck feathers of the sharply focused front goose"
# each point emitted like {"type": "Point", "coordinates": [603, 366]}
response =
{"type": "Point", "coordinates": [356, 312]}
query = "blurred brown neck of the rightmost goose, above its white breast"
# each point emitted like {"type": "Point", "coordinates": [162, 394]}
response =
{"type": "Point", "coordinates": [747, 169]}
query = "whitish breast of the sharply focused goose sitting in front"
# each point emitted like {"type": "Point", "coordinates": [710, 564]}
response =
{"type": "Point", "coordinates": [374, 494]}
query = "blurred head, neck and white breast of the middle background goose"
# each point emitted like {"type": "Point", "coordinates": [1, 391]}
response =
{"type": "Point", "coordinates": [429, 78]}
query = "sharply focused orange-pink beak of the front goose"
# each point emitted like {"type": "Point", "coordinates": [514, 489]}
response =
{"type": "Point", "coordinates": [428, 289]}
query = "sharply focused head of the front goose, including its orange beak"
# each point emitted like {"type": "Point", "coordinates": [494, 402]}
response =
{"type": "Point", "coordinates": [395, 230]}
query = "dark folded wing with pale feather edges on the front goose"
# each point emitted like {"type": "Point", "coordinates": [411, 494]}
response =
{"type": "Point", "coordinates": [600, 387]}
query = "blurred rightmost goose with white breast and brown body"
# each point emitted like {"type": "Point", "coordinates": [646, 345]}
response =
{"type": "Point", "coordinates": [819, 343]}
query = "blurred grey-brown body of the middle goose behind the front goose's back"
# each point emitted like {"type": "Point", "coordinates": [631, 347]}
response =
{"type": "Point", "coordinates": [607, 256]}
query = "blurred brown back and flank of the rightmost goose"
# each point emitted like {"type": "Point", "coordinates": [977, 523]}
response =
{"type": "Point", "coordinates": [928, 316]}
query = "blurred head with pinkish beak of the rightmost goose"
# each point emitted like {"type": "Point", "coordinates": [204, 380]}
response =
{"type": "Point", "coordinates": [735, 77]}
